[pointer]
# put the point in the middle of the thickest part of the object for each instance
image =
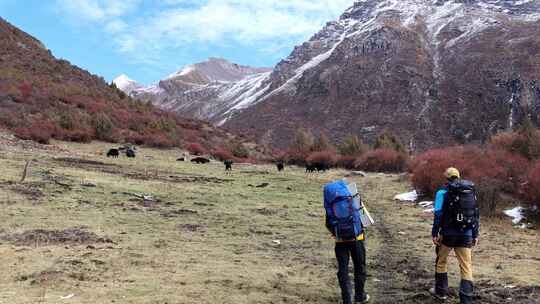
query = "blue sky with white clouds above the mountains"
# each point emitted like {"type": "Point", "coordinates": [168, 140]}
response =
{"type": "Point", "coordinates": [150, 39]}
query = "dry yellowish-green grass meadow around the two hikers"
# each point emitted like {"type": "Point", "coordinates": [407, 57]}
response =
{"type": "Point", "coordinates": [208, 237]}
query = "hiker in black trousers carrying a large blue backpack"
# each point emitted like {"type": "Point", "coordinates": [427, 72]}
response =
{"type": "Point", "coordinates": [344, 216]}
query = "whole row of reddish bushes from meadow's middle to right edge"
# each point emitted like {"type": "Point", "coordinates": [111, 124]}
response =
{"type": "Point", "coordinates": [505, 170]}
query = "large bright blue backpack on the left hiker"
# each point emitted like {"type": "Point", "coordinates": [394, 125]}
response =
{"type": "Point", "coordinates": [342, 211]}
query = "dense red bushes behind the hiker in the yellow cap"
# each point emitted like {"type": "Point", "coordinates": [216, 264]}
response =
{"type": "Point", "coordinates": [508, 167]}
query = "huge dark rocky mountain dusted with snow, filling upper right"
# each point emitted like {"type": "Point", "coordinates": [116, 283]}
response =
{"type": "Point", "coordinates": [433, 71]}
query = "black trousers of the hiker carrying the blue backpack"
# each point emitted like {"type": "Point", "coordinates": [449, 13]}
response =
{"type": "Point", "coordinates": [357, 252]}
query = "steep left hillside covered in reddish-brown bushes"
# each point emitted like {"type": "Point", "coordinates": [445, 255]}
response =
{"type": "Point", "coordinates": [42, 97]}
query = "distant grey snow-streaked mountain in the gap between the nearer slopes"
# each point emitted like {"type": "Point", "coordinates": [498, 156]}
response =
{"type": "Point", "coordinates": [207, 90]}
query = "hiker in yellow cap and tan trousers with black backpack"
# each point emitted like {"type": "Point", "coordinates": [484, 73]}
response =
{"type": "Point", "coordinates": [455, 227]}
